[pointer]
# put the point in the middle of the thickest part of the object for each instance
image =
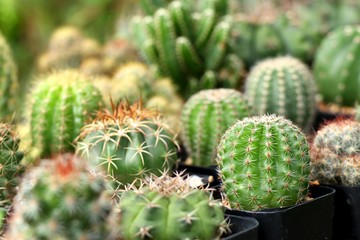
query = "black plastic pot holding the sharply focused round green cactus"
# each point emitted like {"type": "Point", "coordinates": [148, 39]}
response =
{"type": "Point", "coordinates": [310, 220]}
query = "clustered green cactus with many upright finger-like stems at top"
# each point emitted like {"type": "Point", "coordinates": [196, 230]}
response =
{"type": "Point", "coordinates": [189, 46]}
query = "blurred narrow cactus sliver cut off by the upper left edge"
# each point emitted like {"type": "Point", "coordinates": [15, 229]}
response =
{"type": "Point", "coordinates": [8, 81]}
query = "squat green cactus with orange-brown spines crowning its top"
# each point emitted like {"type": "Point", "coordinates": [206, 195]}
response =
{"type": "Point", "coordinates": [128, 144]}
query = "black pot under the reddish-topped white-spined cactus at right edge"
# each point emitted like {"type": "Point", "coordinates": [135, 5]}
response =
{"type": "Point", "coordinates": [347, 213]}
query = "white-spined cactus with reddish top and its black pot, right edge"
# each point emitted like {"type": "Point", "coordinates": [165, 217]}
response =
{"type": "Point", "coordinates": [335, 161]}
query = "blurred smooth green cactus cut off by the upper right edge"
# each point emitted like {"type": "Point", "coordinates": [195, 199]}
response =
{"type": "Point", "coordinates": [336, 66]}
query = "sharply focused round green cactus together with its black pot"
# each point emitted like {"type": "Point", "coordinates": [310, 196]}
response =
{"type": "Point", "coordinates": [264, 169]}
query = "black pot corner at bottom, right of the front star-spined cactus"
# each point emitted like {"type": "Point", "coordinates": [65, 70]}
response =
{"type": "Point", "coordinates": [242, 228]}
